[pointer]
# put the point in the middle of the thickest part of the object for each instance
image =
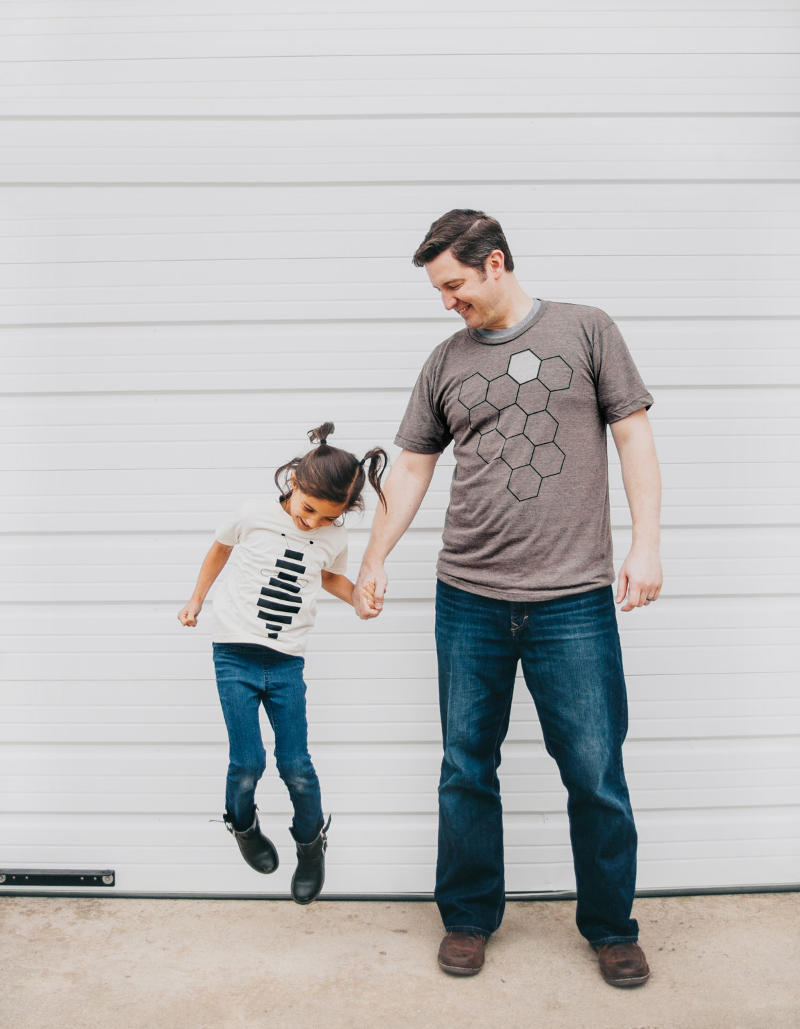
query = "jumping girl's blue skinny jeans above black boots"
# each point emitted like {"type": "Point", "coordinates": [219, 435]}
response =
{"type": "Point", "coordinates": [249, 676]}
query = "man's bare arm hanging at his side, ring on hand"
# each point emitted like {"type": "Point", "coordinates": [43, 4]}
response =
{"type": "Point", "coordinates": [641, 576]}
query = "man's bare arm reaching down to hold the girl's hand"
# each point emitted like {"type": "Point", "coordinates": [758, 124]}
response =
{"type": "Point", "coordinates": [407, 485]}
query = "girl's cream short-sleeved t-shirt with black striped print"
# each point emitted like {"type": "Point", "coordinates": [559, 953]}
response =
{"type": "Point", "coordinates": [269, 591]}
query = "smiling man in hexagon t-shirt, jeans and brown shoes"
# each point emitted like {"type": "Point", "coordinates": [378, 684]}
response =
{"type": "Point", "coordinates": [526, 391]}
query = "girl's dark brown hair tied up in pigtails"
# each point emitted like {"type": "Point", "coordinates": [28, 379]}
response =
{"type": "Point", "coordinates": [334, 475]}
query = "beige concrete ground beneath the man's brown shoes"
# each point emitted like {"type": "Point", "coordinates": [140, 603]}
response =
{"type": "Point", "coordinates": [718, 963]}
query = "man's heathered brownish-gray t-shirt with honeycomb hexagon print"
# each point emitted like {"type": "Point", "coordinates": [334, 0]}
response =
{"type": "Point", "coordinates": [528, 408]}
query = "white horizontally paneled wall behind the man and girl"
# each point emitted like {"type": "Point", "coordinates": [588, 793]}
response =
{"type": "Point", "coordinates": [206, 222]}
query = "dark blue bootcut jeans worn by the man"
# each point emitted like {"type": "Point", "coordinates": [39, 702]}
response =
{"type": "Point", "coordinates": [572, 662]}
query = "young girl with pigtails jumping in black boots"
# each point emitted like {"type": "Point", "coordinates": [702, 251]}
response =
{"type": "Point", "coordinates": [288, 549]}
